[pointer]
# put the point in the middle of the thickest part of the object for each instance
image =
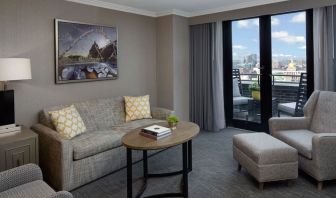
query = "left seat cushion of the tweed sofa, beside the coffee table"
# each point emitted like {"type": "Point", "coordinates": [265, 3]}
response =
{"type": "Point", "coordinates": [91, 143]}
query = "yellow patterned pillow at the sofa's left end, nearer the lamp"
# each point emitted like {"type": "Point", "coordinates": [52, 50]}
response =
{"type": "Point", "coordinates": [67, 122]}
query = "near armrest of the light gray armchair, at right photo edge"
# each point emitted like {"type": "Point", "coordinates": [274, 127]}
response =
{"type": "Point", "coordinates": [323, 149]}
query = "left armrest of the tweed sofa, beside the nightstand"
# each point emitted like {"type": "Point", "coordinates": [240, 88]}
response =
{"type": "Point", "coordinates": [56, 157]}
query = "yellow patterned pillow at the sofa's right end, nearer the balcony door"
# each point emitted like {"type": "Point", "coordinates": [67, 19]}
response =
{"type": "Point", "coordinates": [137, 107]}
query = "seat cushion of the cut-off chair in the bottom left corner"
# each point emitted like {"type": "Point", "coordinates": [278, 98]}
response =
{"type": "Point", "coordinates": [36, 189]}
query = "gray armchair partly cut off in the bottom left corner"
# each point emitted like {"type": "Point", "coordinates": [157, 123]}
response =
{"type": "Point", "coordinates": [26, 181]}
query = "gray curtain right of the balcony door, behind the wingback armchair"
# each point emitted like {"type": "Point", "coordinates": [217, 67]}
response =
{"type": "Point", "coordinates": [324, 48]}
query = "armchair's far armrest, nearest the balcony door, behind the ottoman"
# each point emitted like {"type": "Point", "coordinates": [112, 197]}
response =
{"type": "Point", "coordinates": [292, 123]}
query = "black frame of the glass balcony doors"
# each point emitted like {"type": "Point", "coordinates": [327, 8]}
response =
{"type": "Point", "coordinates": [265, 40]}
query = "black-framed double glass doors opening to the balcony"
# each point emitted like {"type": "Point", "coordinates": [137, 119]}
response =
{"type": "Point", "coordinates": [267, 72]}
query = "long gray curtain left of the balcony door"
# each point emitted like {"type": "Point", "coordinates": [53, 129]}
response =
{"type": "Point", "coordinates": [206, 76]}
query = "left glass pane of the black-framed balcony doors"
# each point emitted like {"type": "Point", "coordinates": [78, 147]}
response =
{"type": "Point", "coordinates": [246, 57]}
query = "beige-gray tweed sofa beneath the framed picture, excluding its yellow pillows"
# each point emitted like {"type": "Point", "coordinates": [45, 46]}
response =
{"type": "Point", "coordinates": [68, 164]}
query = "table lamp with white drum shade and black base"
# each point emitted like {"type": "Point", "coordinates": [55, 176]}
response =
{"type": "Point", "coordinates": [11, 69]}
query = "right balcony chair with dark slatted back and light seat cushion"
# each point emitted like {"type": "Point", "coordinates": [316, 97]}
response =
{"type": "Point", "coordinates": [295, 109]}
